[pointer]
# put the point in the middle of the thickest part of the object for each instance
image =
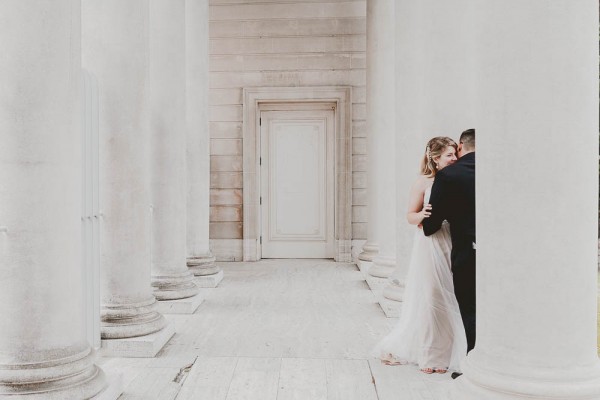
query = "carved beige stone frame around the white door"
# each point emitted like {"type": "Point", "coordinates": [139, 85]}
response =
{"type": "Point", "coordinates": [341, 100]}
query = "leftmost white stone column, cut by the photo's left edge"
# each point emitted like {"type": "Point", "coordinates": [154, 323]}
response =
{"type": "Point", "coordinates": [43, 349]}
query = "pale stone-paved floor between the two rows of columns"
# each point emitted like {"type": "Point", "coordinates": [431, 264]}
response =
{"type": "Point", "coordinates": [278, 330]}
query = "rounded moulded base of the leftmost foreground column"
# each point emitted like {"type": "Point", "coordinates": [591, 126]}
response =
{"type": "Point", "coordinates": [68, 376]}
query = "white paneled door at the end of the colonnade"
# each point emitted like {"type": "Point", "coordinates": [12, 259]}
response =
{"type": "Point", "coordinates": [297, 183]}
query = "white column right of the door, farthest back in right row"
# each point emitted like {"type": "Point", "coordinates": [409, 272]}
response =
{"type": "Point", "coordinates": [381, 184]}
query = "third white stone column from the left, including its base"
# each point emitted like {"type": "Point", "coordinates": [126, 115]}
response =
{"type": "Point", "coordinates": [171, 278]}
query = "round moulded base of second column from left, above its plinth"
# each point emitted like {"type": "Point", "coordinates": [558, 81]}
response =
{"type": "Point", "coordinates": [122, 321]}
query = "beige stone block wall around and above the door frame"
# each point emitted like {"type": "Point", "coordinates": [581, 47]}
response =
{"type": "Point", "coordinates": [275, 43]}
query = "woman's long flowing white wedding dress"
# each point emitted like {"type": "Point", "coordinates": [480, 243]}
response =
{"type": "Point", "coordinates": [430, 331]}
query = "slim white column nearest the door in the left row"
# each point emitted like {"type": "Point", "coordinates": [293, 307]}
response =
{"type": "Point", "coordinates": [200, 259]}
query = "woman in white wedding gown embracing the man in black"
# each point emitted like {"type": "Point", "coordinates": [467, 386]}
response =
{"type": "Point", "coordinates": [430, 331]}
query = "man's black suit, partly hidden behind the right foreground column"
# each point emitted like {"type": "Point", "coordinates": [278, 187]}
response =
{"type": "Point", "coordinates": [453, 199]}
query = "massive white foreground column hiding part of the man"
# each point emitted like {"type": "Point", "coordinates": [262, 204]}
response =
{"type": "Point", "coordinates": [536, 71]}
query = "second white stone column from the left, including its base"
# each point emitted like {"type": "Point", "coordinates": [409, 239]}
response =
{"type": "Point", "coordinates": [115, 50]}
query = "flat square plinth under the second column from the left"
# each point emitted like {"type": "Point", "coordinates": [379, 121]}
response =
{"type": "Point", "coordinates": [143, 347]}
